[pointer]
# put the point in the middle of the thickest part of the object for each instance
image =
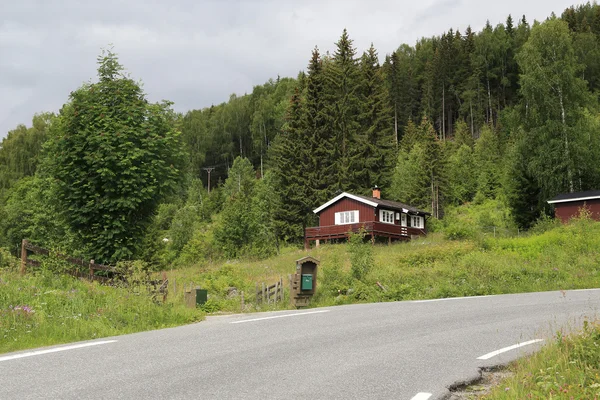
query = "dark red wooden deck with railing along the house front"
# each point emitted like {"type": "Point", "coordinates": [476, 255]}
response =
{"type": "Point", "coordinates": [372, 228]}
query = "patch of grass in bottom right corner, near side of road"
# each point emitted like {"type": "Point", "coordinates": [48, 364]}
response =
{"type": "Point", "coordinates": [567, 368]}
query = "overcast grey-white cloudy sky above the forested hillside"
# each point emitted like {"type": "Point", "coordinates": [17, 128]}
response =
{"type": "Point", "coordinates": [197, 52]}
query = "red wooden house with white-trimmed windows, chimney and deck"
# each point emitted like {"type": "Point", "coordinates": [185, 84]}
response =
{"type": "Point", "coordinates": [380, 218]}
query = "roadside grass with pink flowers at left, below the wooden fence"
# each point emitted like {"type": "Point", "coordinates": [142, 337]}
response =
{"type": "Point", "coordinates": [45, 309]}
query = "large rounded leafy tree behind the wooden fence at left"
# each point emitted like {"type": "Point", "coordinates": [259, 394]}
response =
{"type": "Point", "coordinates": [113, 155]}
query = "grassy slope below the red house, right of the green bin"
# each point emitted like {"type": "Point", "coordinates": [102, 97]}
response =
{"type": "Point", "coordinates": [560, 259]}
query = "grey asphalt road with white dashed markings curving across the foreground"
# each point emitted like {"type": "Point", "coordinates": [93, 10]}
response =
{"type": "Point", "coordinates": [402, 350]}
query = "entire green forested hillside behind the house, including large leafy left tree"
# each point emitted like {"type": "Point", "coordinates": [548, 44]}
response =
{"type": "Point", "coordinates": [508, 113]}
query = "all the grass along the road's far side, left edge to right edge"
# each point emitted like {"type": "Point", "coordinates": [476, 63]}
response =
{"type": "Point", "coordinates": [65, 309]}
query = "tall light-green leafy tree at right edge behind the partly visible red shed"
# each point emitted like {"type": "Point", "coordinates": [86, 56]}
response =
{"type": "Point", "coordinates": [556, 112]}
